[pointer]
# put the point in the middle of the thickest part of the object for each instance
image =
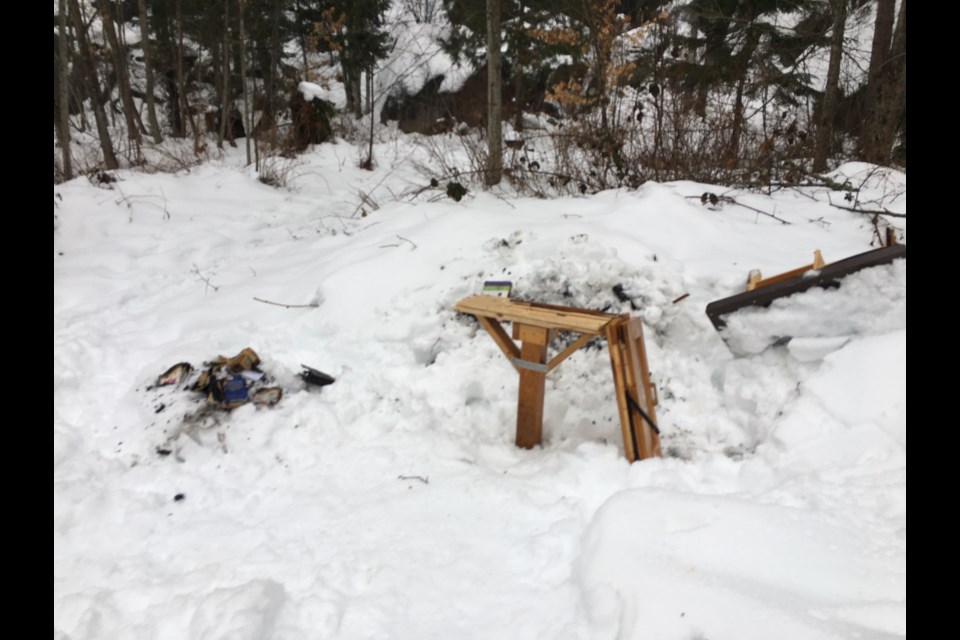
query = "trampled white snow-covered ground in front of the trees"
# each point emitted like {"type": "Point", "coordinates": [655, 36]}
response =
{"type": "Point", "coordinates": [393, 504]}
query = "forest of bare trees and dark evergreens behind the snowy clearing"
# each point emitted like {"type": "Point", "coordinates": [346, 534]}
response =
{"type": "Point", "coordinates": [756, 92]}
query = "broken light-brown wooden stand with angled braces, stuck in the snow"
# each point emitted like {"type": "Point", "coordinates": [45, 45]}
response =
{"type": "Point", "coordinates": [535, 326]}
